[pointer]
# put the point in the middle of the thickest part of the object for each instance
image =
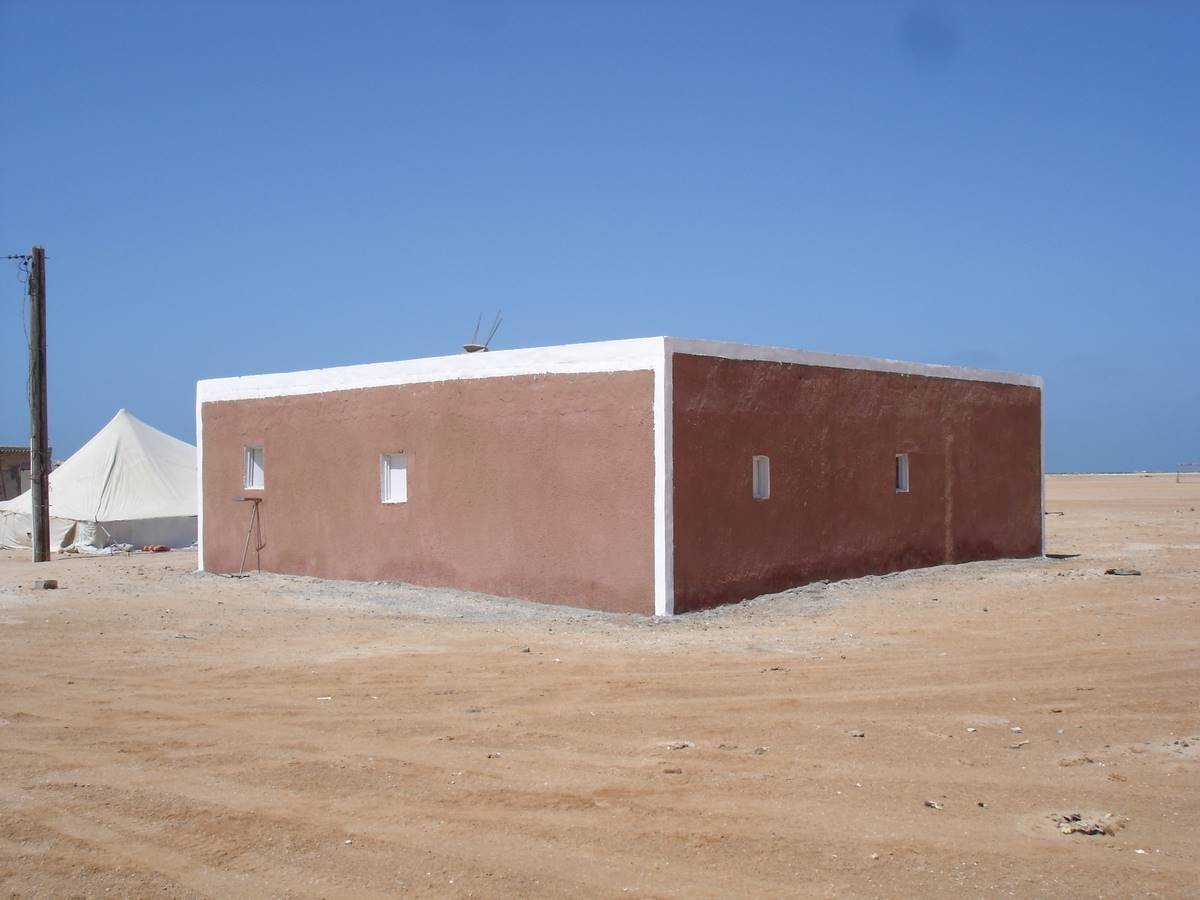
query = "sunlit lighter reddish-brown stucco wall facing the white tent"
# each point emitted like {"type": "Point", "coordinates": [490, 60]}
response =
{"type": "Point", "coordinates": [538, 487]}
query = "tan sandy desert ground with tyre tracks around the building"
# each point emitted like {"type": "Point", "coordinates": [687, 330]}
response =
{"type": "Point", "coordinates": [169, 733]}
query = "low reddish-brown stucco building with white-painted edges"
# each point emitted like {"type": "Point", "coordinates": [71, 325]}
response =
{"type": "Point", "coordinates": [653, 476]}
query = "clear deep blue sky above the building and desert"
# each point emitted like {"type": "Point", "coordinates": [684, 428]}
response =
{"type": "Point", "coordinates": [237, 188]}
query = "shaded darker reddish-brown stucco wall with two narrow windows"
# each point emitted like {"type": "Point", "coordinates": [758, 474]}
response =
{"type": "Point", "coordinates": [832, 435]}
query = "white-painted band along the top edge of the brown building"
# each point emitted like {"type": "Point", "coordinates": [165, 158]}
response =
{"type": "Point", "coordinates": [634, 355]}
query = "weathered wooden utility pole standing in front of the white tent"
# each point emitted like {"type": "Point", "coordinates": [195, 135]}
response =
{"type": "Point", "coordinates": [40, 454]}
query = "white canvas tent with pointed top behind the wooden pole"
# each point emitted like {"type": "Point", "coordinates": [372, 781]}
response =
{"type": "Point", "coordinates": [130, 484]}
